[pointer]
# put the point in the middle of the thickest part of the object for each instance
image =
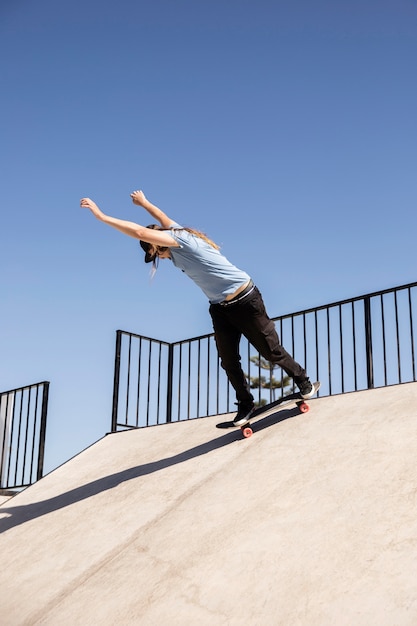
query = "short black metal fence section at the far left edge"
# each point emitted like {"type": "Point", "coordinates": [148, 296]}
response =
{"type": "Point", "coordinates": [23, 414]}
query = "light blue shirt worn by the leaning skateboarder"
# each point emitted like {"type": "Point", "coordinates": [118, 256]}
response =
{"type": "Point", "coordinates": [205, 265]}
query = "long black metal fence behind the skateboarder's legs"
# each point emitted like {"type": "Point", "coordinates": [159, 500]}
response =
{"type": "Point", "coordinates": [351, 345]}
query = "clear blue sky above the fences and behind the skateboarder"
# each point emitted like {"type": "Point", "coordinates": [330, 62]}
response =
{"type": "Point", "coordinates": [285, 130]}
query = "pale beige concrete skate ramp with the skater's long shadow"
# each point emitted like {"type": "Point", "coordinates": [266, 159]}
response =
{"type": "Point", "coordinates": [310, 522]}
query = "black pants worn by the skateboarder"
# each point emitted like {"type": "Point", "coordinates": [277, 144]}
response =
{"type": "Point", "coordinates": [249, 318]}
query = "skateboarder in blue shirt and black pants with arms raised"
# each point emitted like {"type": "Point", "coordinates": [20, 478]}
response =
{"type": "Point", "coordinates": [236, 305]}
